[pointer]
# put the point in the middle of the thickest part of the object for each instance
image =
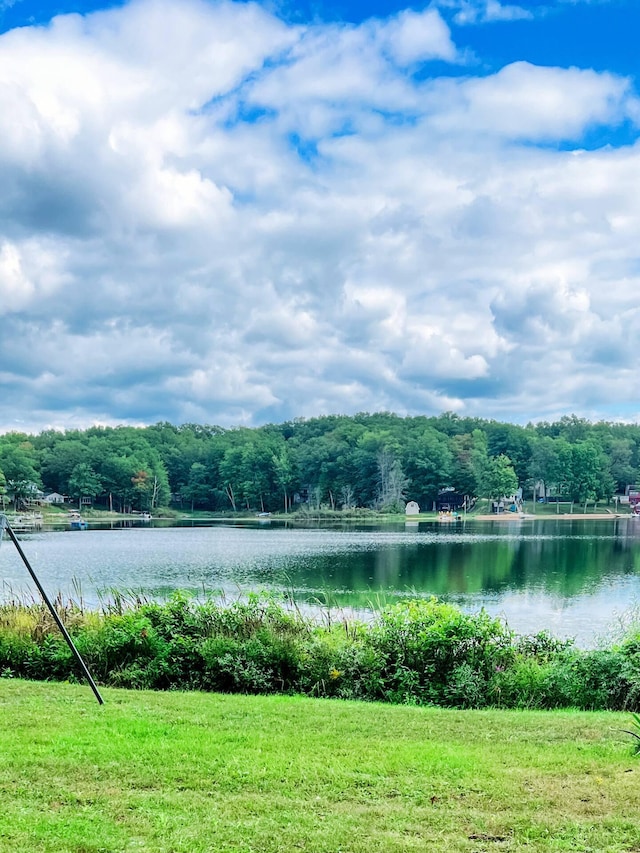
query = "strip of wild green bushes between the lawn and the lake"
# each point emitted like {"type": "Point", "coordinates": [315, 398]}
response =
{"type": "Point", "coordinates": [416, 652]}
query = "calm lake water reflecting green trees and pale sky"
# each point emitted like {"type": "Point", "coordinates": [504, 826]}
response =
{"type": "Point", "coordinates": [576, 578]}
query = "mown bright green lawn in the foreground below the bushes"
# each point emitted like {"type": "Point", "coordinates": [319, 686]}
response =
{"type": "Point", "coordinates": [184, 773]}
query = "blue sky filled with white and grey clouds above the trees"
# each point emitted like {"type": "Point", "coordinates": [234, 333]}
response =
{"type": "Point", "coordinates": [240, 213]}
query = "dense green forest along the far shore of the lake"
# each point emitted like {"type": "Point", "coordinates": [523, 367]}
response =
{"type": "Point", "coordinates": [339, 462]}
